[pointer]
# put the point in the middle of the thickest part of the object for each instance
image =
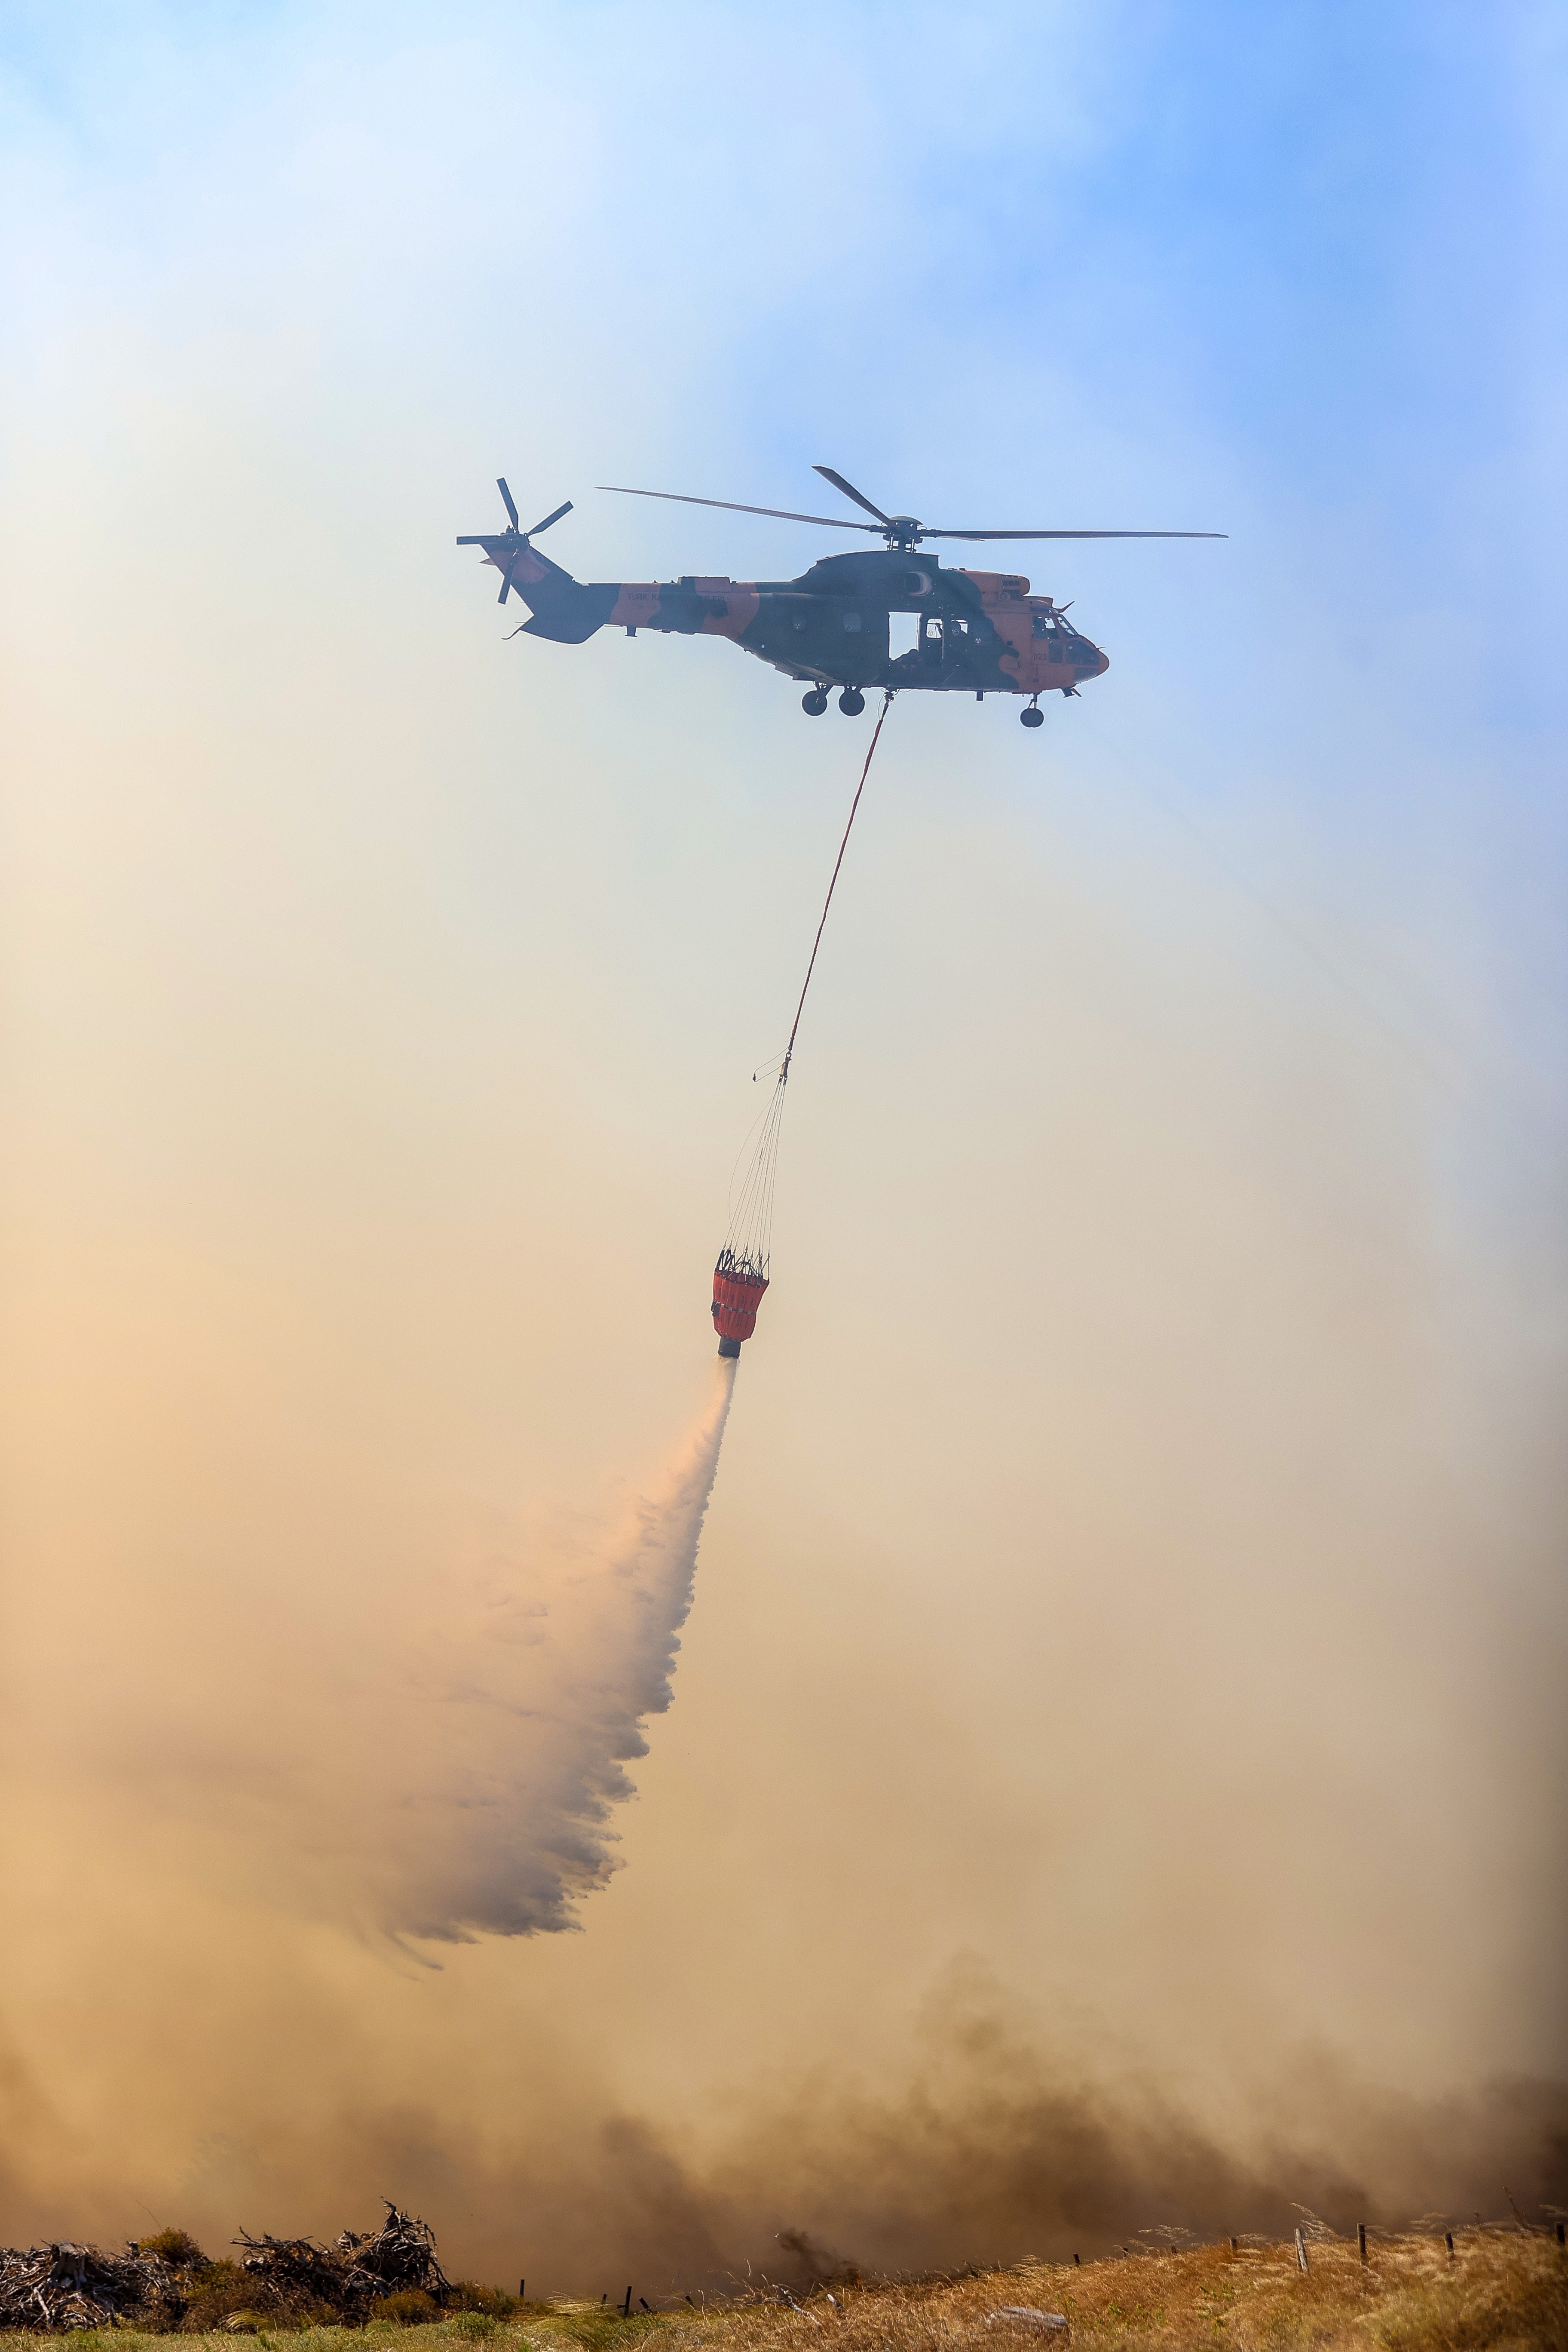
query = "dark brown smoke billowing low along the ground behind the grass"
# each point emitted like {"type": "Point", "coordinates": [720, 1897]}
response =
{"type": "Point", "coordinates": [984, 2158]}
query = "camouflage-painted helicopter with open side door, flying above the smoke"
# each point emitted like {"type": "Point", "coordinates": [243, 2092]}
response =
{"type": "Point", "coordinates": [974, 632]}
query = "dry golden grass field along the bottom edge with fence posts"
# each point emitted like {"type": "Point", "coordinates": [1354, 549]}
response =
{"type": "Point", "coordinates": [1499, 2290]}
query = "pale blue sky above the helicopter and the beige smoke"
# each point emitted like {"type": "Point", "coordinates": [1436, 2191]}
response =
{"type": "Point", "coordinates": [1285, 274]}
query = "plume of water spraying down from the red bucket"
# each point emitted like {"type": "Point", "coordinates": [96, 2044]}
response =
{"type": "Point", "coordinates": [521, 1676]}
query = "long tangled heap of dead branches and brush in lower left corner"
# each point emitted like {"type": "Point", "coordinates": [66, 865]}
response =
{"type": "Point", "coordinates": [166, 2283]}
